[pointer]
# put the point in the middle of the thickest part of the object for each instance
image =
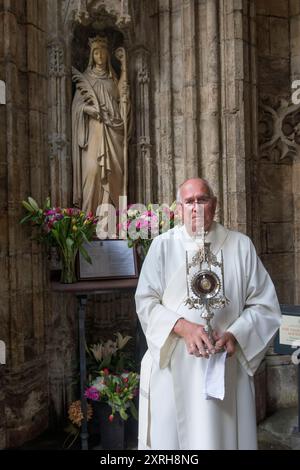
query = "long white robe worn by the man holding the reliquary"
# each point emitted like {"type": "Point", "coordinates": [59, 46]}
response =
{"type": "Point", "coordinates": [174, 413]}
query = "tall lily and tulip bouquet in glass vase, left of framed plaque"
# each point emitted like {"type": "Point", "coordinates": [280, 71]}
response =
{"type": "Point", "coordinates": [66, 229]}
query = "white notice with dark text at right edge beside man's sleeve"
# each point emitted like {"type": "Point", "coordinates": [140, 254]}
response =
{"type": "Point", "coordinates": [287, 338]}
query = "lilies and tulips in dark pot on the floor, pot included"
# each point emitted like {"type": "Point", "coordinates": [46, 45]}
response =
{"type": "Point", "coordinates": [112, 388]}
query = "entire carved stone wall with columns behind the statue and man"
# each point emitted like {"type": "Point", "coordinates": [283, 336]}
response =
{"type": "Point", "coordinates": [211, 85]}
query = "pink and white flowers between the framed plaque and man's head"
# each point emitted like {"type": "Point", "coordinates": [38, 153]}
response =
{"type": "Point", "coordinates": [140, 224]}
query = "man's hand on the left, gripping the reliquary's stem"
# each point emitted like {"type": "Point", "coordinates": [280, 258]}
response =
{"type": "Point", "coordinates": [195, 338]}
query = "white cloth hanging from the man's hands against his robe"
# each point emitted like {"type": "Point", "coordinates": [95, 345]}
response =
{"type": "Point", "coordinates": [214, 379]}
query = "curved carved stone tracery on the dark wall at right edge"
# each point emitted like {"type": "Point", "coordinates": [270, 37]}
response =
{"type": "Point", "coordinates": [279, 130]}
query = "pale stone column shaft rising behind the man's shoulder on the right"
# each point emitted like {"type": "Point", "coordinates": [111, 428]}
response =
{"type": "Point", "coordinates": [234, 63]}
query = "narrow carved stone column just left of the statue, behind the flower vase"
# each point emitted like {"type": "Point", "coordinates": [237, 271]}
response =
{"type": "Point", "coordinates": [61, 323]}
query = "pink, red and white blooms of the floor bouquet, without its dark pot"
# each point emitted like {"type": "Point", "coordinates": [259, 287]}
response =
{"type": "Point", "coordinates": [110, 379]}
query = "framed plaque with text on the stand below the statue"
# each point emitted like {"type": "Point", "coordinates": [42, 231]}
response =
{"type": "Point", "coordinates": [111, 259]}
